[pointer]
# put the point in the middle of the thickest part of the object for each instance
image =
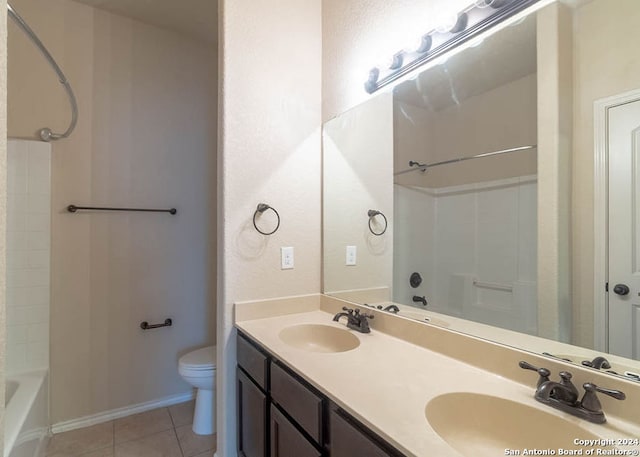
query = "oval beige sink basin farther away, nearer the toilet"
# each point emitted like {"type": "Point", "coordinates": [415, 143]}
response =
{"type": "Point", "coordinates": [319, 338]}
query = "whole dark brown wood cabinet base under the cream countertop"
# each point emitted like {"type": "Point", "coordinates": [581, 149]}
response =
{"type": "Point", "coordinates": [282, 415]}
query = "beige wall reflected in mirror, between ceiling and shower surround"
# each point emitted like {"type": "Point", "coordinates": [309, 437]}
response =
{"type": "Point", "coordinates": [486, 122]}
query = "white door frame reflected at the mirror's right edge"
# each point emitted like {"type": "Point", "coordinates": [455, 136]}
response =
{"type": "Point", "coordinates": [601, 209]}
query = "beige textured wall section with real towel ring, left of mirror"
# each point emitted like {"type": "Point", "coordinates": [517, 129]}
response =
{"type": "Point", "coordinates": [270, 143]}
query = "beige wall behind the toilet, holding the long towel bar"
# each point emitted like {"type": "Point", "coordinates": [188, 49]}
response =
{"type": "Point", "coordinates": [145, 138]}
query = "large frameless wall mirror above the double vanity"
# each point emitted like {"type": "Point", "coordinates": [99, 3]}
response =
{"type": "Point", "coordinates": [405, 223]}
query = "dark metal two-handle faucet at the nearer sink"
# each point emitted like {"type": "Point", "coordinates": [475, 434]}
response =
{"type": "Point", "coordinates": [563, 395]}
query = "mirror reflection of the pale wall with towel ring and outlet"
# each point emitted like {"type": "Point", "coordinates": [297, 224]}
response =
{"type": "Point", "coordinates": [357, 157]}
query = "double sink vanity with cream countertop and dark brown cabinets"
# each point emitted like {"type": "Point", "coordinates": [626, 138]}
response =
{"type": "Point", "coordinates": [308, 385]}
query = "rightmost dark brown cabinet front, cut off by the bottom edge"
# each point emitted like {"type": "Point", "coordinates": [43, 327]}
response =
{"type": "Point", "coordinates": [348, 440]}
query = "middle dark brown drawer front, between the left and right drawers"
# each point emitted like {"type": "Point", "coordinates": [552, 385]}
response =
{"type": "Point", "coordinates": [304, 406]}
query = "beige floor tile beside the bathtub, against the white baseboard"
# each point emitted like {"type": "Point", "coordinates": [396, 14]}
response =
{"type": "Point", "coordinates": [81, 441]}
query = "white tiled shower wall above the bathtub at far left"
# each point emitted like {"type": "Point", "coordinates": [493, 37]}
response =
{"type": "Point", "coordinates": [28, 255]}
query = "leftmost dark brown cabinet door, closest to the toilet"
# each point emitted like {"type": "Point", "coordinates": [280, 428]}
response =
{"type": "Point", "coordinates": [252, 418]}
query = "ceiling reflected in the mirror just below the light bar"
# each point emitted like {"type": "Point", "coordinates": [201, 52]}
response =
{"type": "Point", "coordinates": [501, 58]}
